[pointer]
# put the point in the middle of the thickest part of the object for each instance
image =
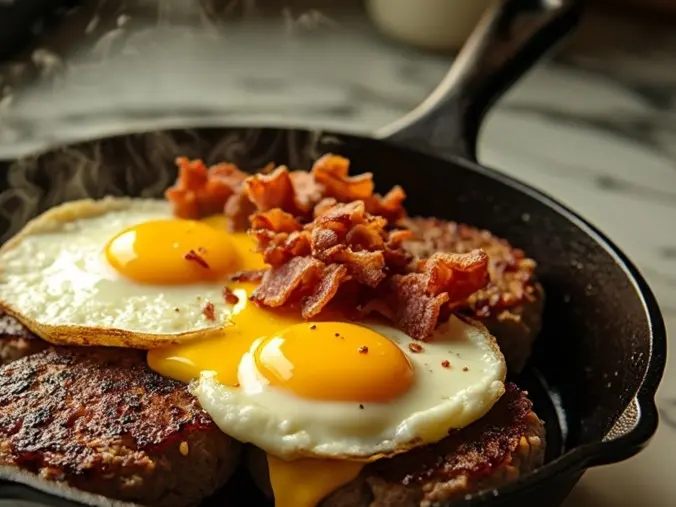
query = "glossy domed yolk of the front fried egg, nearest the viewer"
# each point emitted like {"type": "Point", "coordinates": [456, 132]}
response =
{"type": "Point", "coordinates": [335, 361]}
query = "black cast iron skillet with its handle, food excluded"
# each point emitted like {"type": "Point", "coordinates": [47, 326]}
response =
{"type": "Point", "coordinates": [602, 350]}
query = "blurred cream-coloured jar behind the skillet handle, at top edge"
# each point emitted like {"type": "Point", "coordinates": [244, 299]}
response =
{"type": "Point", "coordinates": [432, 24]}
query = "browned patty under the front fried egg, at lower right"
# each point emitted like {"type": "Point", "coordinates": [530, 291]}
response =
{"type": "Point", "coordinates": [507, 442]}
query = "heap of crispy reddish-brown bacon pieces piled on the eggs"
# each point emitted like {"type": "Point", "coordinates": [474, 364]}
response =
{"type": "Point", "coordinates": [328, 238]}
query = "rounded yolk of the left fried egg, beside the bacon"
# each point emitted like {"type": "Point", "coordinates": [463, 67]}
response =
{"type": "Point", "coordinates": [173, 252]}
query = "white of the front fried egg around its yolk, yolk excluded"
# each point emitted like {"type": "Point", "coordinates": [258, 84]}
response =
{"type": "Point", "coordinates": [440, 399]}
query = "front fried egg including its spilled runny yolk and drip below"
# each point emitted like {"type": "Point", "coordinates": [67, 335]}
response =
{"type": "Point", "coordinates": [325, 397]}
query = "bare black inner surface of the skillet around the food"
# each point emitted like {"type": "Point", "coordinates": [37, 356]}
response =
{"type": "Point", "coordinates": [594, 349]}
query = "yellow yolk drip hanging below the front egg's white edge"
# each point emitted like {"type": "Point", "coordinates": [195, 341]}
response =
{"type": "Point", "coordinates": [305, 482]}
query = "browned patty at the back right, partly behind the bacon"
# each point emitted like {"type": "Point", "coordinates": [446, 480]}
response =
{"type": "Point", "coordinates": [511, 305]}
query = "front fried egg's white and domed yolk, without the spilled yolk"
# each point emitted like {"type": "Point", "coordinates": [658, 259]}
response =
{"type": "Point", "coordinates": [355, 391]}
